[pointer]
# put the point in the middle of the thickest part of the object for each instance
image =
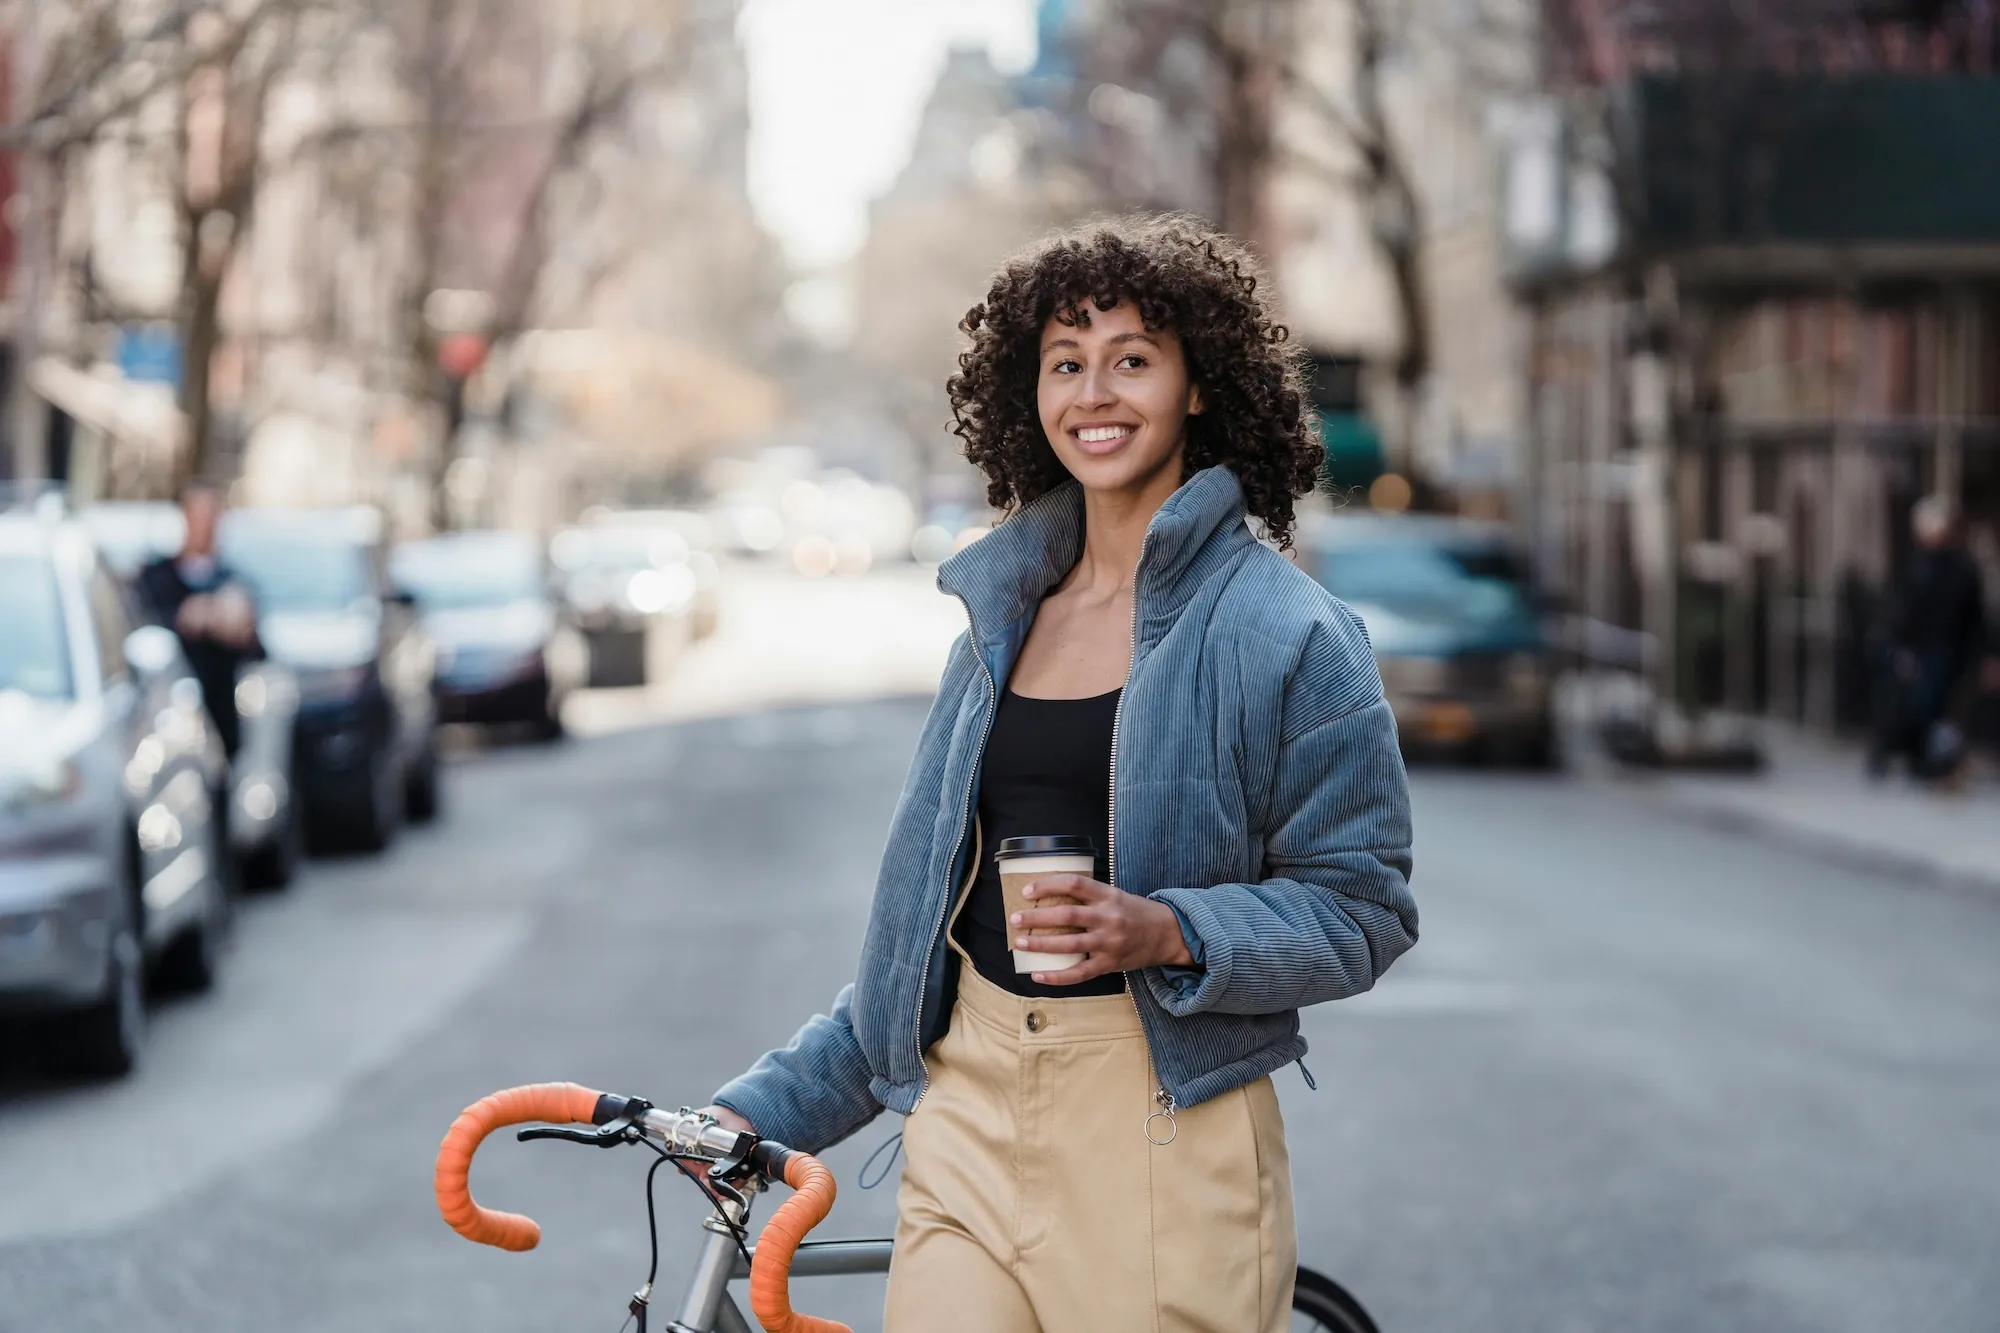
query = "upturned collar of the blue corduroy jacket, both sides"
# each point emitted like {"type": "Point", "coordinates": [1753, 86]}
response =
{"type": "Point", "coordinates": [1007, 573]}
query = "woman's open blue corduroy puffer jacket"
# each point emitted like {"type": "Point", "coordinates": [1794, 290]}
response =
{"type": "Point", "coordinates": [1257, 790]}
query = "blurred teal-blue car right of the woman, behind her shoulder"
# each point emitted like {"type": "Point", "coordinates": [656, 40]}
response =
{"type": "Point", "coordinates": [1455, 627]}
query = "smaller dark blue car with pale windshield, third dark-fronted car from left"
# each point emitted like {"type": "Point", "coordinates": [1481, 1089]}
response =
{"type": "Point", "coordinates": [505, 651]}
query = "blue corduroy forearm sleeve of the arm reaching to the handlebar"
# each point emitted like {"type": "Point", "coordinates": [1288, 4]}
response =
{"type": "Point", "coordinates": [813, 1092]}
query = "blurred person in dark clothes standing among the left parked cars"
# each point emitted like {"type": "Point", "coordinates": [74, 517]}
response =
{"type": "Point", "coordinates": [201, 599]}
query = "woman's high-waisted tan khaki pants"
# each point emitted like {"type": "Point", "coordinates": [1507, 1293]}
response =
{"type": "Point", "coordinates": [1035, 1204]}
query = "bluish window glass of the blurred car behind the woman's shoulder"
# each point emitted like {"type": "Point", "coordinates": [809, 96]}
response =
{"type": "Point", "coordinates": [1419, 579]}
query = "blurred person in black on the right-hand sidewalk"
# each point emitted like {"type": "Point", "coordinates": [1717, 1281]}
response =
{"type": "Point", "coordinates": [1933, 639]}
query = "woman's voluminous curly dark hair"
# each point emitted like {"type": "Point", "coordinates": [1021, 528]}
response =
{"type": "Point", "coordinates": [1183, 277]}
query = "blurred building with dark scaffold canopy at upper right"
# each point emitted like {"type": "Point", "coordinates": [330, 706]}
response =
{"type": "Point", "coordinates": [1763, 271]}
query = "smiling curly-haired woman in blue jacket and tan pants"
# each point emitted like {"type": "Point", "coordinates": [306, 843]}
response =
{"type": "Point", "coordinates": [1099, 1148]}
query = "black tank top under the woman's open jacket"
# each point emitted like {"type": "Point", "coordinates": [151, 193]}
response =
{"type": "Point", "coordinates": [1049, 770]}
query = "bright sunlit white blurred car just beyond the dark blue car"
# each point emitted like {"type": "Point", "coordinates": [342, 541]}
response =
{"type": "Point", "coordinates": [621, 585]}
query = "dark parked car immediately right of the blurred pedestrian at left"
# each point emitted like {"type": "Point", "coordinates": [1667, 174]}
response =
{"type": "Point", "coordinates": [367, 734]}
